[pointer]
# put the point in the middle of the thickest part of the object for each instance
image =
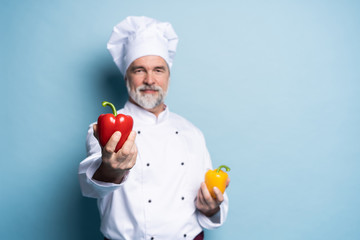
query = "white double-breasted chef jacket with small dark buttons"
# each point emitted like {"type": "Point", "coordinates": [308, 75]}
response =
{"type": "Point", "coordinates": [156, 200]}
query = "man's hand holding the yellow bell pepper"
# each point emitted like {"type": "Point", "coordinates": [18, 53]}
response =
{"type": "Point", "coordinates": [205, 203]}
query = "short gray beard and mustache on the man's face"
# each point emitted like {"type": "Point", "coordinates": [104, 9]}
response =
{"type": "Point", "coordinates": [147, 101]}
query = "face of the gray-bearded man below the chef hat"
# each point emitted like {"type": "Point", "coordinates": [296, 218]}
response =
{"type": "Point", "coordinates": [147, 80]}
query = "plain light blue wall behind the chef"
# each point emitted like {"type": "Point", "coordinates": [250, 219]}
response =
{"type": "Point", "coordinates": [273, 85]}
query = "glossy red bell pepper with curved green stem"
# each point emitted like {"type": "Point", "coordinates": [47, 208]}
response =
{"type": "Point", "coordinates": [110, 123]}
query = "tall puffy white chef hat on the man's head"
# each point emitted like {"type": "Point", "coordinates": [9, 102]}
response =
{"type": "Point", "coordinates": [136, 37]}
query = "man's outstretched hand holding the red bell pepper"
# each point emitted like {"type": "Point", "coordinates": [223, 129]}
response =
{"type": "Point", "coordinates": [115, 165]}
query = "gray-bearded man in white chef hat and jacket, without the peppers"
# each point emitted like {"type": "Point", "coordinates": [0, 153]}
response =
{"type": "Point", "coordinates": [152, 188]}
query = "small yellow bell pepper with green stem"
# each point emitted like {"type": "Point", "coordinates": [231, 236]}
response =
{"type": "Point", "coordinates": [216, 178]}
